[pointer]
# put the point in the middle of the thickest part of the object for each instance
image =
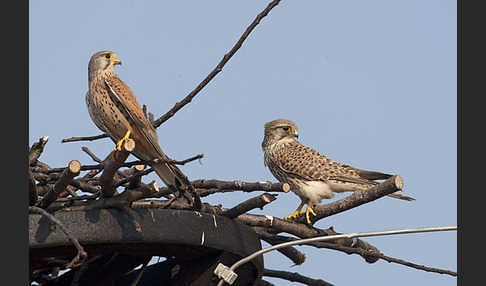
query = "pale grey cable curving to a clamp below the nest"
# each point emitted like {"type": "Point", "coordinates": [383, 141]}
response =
{"type": "Point", "coordinates": [330, 237]}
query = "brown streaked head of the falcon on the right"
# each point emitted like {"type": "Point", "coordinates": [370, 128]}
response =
{"type": "Point", "coordinates": [278, 130]}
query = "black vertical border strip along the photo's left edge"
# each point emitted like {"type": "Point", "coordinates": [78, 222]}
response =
{"type": "Point", "coordinates": [14, 133]}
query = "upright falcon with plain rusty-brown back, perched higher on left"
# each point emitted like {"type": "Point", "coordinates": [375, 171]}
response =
{"type": "Point", "coordinates": [114, 109]}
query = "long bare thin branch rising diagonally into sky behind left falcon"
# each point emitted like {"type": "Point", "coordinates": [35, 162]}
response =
{"type": "Point", "coordinates": [218, 68]}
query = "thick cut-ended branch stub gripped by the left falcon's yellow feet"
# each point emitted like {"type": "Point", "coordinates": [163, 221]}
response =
{"type": "Point", "coordinates": [112, 164]}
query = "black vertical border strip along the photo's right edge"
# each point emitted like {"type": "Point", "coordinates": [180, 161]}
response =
{"type": "Point", "coordinates": [471, 77]}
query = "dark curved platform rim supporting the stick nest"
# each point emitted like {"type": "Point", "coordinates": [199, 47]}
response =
{"type": "Point", "coordinates": [187, 236]}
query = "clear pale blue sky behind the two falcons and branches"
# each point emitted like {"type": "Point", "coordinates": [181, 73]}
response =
{"type": "Point", "coordinates": [369, 83]}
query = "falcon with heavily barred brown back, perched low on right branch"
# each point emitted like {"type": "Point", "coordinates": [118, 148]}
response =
{"type": "Point", "coordinates": [311, 175]}
